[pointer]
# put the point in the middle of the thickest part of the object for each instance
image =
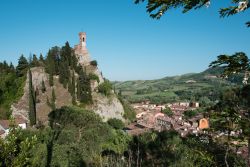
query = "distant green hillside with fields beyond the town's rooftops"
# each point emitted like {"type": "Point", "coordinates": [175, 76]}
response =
{"type": "Point", "coordinates": [193, 86]}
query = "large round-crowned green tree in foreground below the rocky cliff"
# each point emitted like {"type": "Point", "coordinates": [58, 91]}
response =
{"type": "Point", "coordinates": [77, 135]}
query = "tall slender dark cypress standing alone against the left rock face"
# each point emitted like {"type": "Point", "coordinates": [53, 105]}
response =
{"type": "Point", "coordinates": [32, 101]}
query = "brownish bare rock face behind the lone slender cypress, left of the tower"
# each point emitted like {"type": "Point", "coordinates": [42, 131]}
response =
{"type": "Point", "coordinates": [63, 97]}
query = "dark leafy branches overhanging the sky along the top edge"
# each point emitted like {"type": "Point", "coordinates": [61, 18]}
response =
{"type": "Point", "coordinates": [156, 8]}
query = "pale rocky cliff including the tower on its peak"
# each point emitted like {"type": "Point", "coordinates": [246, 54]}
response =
{"type": "Point", "coordinates": [106, 107]}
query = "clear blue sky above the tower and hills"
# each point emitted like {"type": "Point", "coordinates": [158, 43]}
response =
{"type": "Point", "coordinates": [121, 36]}
